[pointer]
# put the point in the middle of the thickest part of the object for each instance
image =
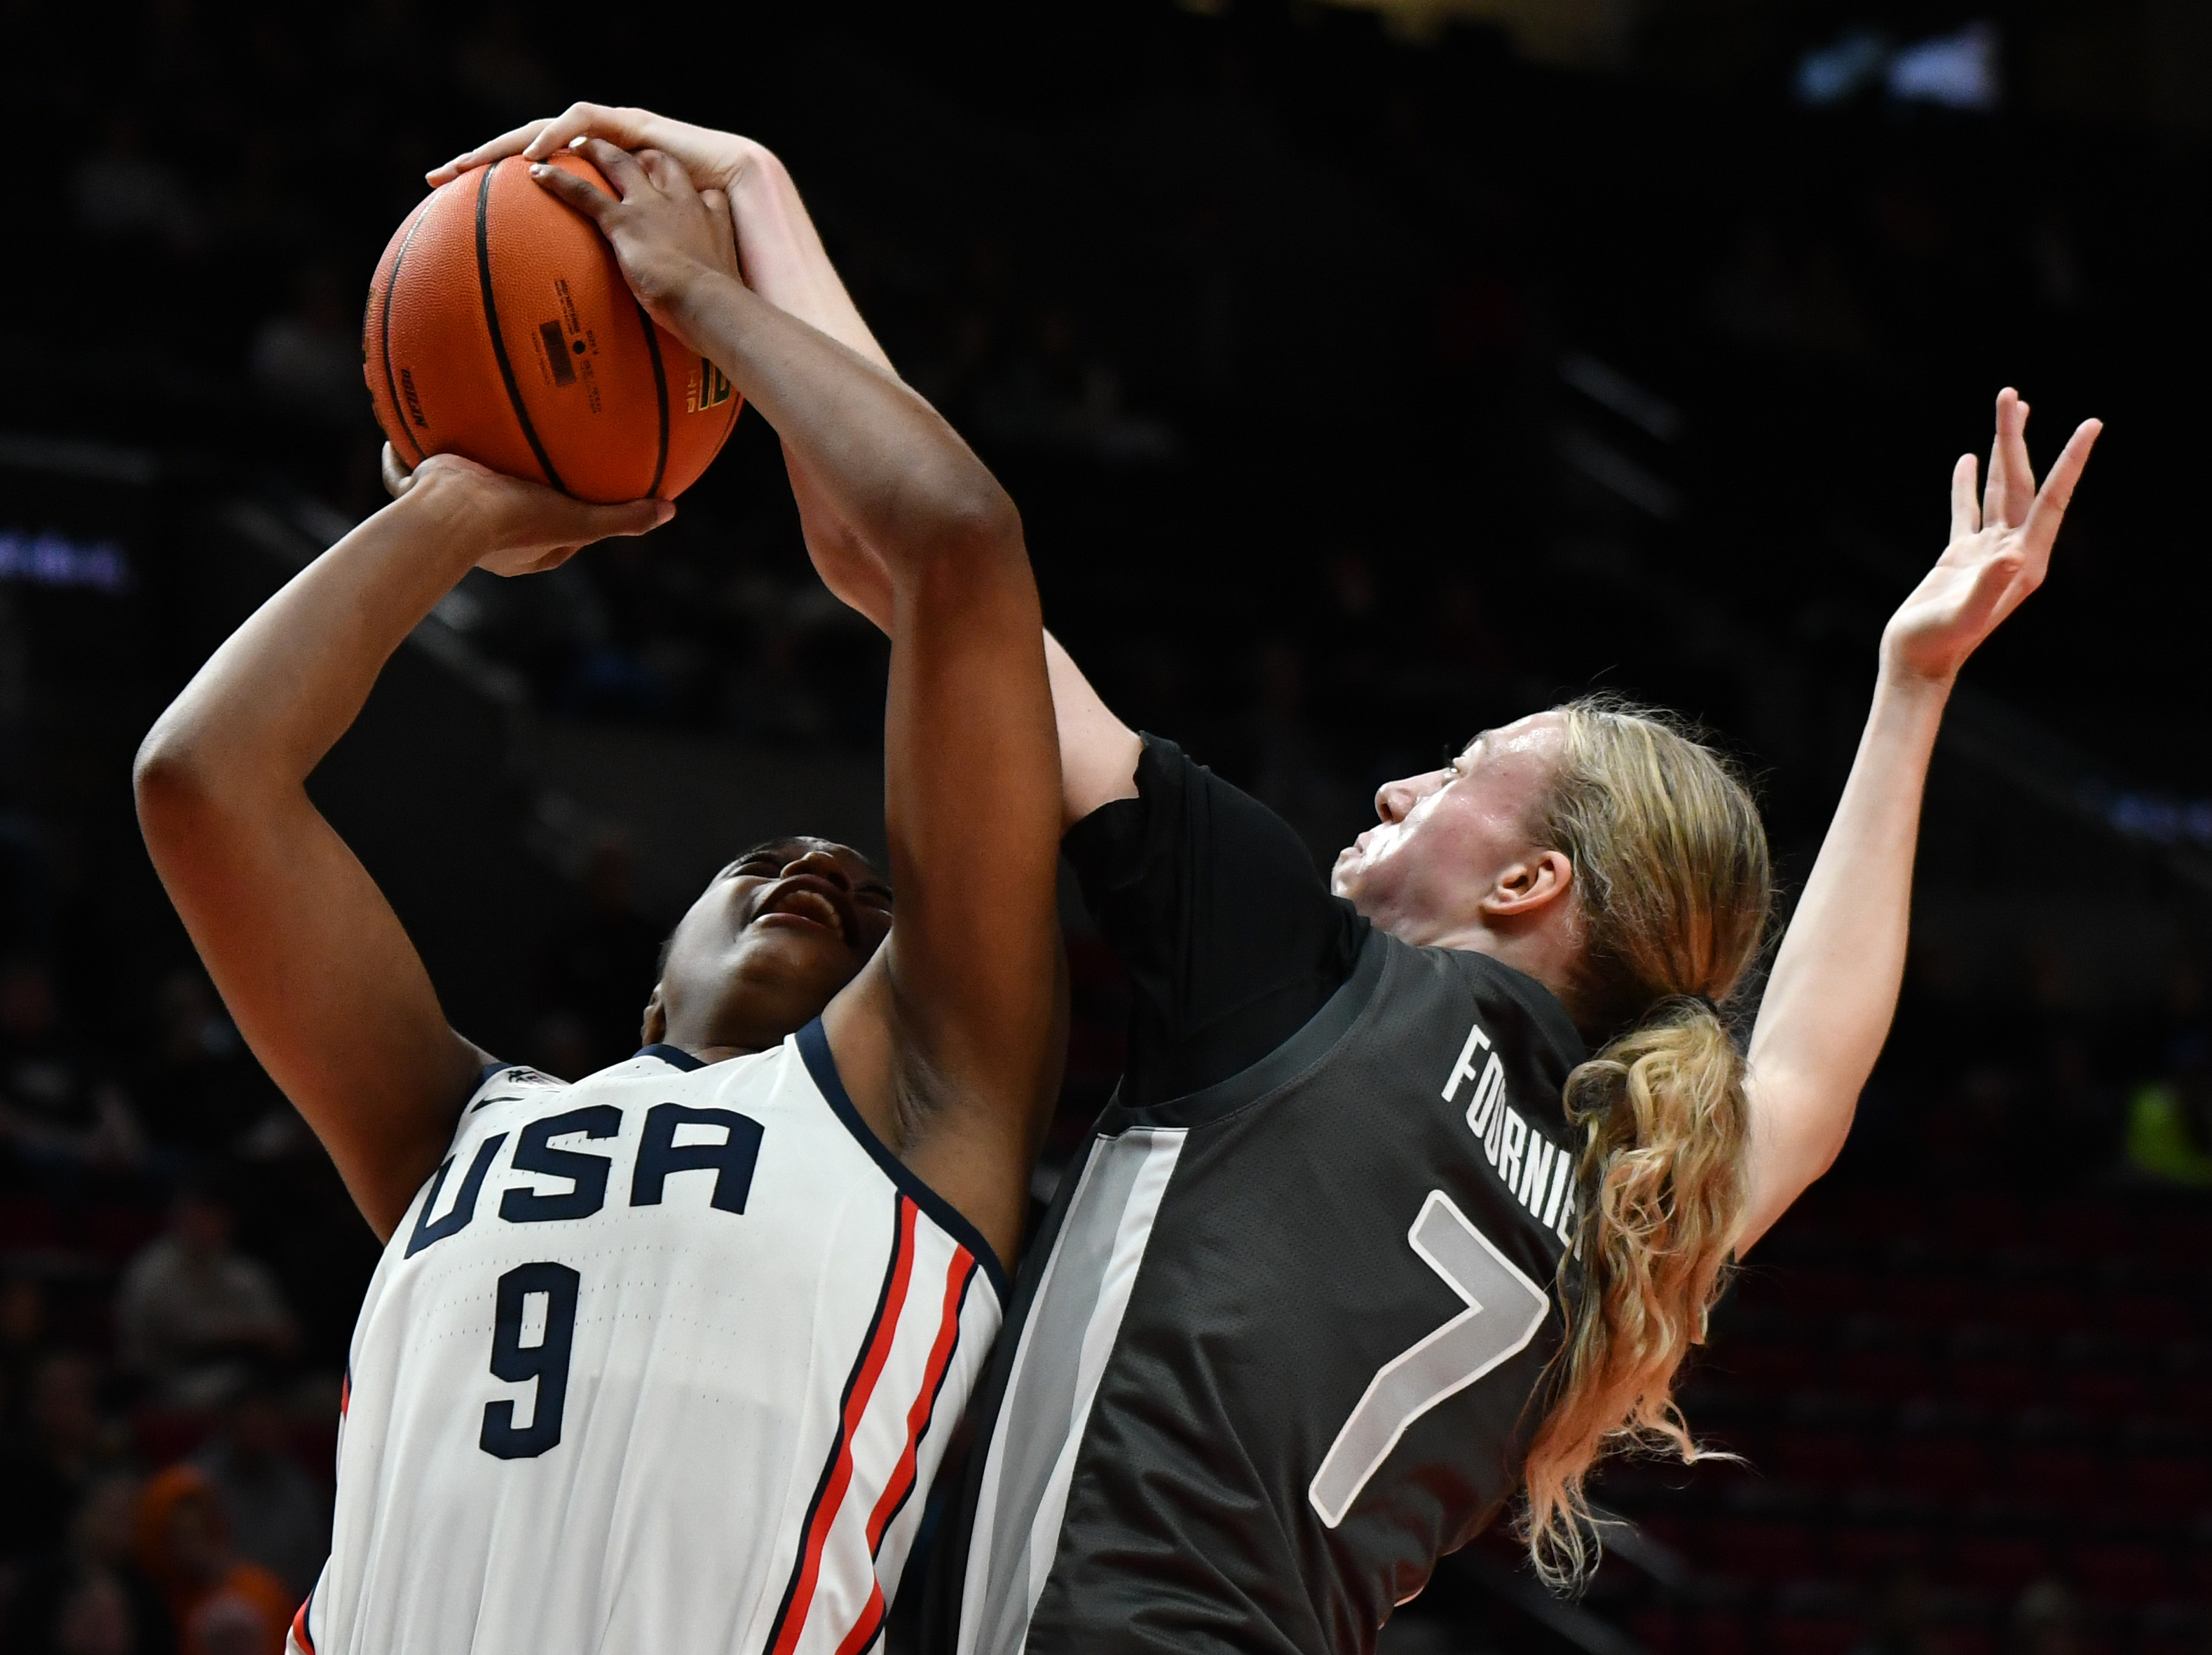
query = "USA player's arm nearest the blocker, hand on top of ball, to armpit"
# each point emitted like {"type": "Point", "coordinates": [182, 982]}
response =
{"type": "Point", "coordinates": [948, 1039]}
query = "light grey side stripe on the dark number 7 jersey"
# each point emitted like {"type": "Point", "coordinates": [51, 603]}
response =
{"type": "Point", "coordinates": [1065, 1351]}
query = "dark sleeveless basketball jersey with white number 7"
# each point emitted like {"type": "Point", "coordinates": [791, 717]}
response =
{"type": "Point", "coordinates": [1275, 1346]}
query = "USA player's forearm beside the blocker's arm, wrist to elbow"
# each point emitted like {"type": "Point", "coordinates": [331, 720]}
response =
{"type": "Point", "coordinates": [873, 452]}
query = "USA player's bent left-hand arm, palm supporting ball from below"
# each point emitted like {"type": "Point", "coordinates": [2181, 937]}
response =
{"type": "Point", "coordinates": [304, 948]}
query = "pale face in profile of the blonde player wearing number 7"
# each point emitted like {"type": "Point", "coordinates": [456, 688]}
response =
{"type": "Point", "coordinates": [1448, 837]}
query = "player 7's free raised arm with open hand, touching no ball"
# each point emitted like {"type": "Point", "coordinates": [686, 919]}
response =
{"type": "Point", "coordinates": [1835, 986]}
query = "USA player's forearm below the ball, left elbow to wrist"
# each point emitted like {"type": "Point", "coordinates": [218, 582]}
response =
{"type": "Point", "coordinates": [275, 698]}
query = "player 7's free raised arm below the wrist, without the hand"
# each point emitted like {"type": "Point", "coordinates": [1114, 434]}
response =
{"type": "Point", "coordinates": [1835, 986]}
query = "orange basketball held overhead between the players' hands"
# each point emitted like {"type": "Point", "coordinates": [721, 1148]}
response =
{"type": "Point", "coordinates": [501, 331]}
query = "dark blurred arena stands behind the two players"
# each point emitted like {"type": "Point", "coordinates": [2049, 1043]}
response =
{"type": "Point", "coordinates": [1366, 377]}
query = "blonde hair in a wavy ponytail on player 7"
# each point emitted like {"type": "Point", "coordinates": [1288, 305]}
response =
{"type": "Point", "coordinates": [1673, 886]}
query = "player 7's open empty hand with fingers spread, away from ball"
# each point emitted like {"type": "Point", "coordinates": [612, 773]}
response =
{"type": "Point", "coordinates": [1999, 554]}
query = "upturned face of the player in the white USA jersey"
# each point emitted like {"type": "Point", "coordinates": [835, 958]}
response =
{"type": "Point", "coordinates": [771, 941]}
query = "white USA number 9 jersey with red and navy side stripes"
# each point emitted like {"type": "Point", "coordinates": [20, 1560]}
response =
{"type": "Point", "coordinates": [662, 1360]}
